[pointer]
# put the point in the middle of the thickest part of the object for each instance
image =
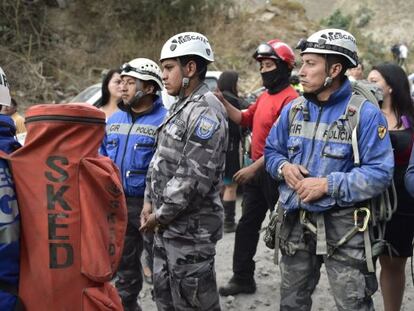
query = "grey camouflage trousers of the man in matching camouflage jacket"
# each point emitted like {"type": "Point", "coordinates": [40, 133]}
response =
{"type": "Point", "coordinates": [184, 275]}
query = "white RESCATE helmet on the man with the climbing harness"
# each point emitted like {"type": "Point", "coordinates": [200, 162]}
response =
{"type": "Point", "coordinates": [331, 41]}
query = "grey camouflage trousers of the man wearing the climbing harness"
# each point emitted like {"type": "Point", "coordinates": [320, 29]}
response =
{"type": "Point", "coordinates": [351, 284]}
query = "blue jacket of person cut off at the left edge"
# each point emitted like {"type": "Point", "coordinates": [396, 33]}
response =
{"type": "Point", "coordinates": [9, 220]}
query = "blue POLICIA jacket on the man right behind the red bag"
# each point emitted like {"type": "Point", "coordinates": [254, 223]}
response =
{"type": "Point", "coordinates": [131, 145]}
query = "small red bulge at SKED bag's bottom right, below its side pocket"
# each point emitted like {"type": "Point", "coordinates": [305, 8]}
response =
{"type": "Point", "coordinates": [104, 298]}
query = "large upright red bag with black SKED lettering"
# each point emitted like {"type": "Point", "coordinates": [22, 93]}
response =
{"type": "Point", "coordinates": [73, 211]}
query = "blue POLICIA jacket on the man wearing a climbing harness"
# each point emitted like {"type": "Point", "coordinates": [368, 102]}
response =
{"type": "Point", "coordinates": [328, 153]}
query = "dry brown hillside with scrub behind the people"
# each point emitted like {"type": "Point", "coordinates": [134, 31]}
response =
{"type": "Point", "coordinates": [52, 49]}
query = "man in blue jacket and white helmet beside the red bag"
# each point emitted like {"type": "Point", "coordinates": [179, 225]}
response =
{"type": "Point", "coordinates": [130, 143]}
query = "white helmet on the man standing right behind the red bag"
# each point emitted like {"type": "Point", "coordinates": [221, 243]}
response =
{"type": "Point", "coordinates": [143, 69]}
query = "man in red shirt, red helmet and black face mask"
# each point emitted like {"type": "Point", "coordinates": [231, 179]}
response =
{"type": "Point", "coordinates": [260, 194]}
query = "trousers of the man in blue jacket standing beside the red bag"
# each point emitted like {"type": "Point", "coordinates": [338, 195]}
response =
{"type": "Point", "coordinates": [129, 275]}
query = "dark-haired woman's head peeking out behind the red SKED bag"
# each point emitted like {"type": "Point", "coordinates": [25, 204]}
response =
{"type": "Point", "coordinates": [111, 92]}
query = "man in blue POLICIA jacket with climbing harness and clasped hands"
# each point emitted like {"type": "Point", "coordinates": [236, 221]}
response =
{"type": "Point", "coordinates": [321, 188]}
